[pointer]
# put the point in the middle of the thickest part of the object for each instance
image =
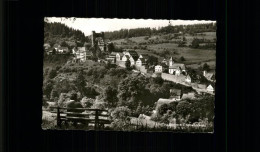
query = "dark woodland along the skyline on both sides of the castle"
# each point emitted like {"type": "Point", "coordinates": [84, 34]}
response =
{"type": "Point", "coordinates": [57, 29]}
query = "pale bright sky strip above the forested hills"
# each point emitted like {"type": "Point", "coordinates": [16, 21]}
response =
{"type": "Point", "coordinates": [87, 25]}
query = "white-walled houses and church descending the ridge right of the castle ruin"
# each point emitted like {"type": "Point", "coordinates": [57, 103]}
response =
{"type": "Point", "coordinates": [167, 68]}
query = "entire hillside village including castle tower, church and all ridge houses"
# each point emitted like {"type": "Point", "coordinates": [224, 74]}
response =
{"type": "Point", "coordinates": [167, 69]}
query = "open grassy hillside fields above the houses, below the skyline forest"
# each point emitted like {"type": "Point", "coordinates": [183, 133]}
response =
{"type": "Point", "coordinates": [193, 57]}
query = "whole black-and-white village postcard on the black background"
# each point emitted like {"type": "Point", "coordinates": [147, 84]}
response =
{"type": "Point", "coordinates": [129, 74]}
